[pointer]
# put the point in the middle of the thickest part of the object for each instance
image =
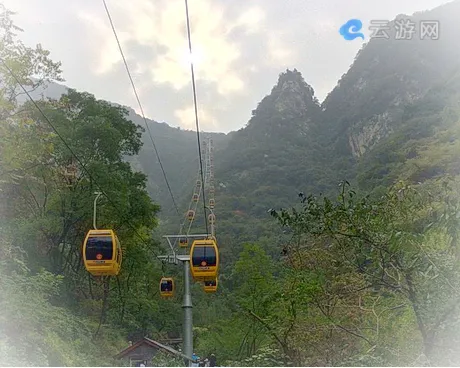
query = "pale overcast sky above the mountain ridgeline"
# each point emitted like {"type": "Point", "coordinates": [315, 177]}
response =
{"type": "Point", "coordinates": [240, 47]}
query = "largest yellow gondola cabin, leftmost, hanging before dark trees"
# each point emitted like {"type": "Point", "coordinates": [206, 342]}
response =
{"type": "Point", "coordinates": [102, 253]}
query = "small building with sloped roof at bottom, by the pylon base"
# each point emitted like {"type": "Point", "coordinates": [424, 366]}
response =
{"type": "Point", "coordinates": [143, 351]}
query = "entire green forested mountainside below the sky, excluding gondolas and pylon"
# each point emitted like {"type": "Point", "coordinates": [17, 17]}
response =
{"type": "Point", "coordinates": [337, 223]}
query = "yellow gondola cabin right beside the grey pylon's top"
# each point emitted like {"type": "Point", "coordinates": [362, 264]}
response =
{"type": "Point", "coordinates": [205, 259]}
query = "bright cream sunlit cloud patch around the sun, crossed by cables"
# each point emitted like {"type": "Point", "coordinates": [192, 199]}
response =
{"type": "Point", "coordinates": [162, 25]}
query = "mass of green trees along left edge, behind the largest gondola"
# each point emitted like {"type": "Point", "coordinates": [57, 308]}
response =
{"type": "Point", "coordinates": [47, 198]}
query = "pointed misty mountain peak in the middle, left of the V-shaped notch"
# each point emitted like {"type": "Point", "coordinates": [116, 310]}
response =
{"type": "Point", "coordinates": [275, 155]}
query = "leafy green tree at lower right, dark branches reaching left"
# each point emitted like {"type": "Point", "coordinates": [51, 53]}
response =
{"type": "Point", "coordinates": [402, 245]}
